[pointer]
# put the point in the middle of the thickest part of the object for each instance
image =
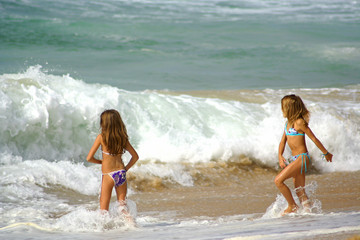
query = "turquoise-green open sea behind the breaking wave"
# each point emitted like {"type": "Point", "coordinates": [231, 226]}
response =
{"type": "Point", "coordinates": [186, 45]}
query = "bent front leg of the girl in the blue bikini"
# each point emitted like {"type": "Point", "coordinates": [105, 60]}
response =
{"type": "Point", "coordinates": [292, 170]}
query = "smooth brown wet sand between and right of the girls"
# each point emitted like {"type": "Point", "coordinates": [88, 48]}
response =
{"type": "Point", "coordinates": [338, 192]}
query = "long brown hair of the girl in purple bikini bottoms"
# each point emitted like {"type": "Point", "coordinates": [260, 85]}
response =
{"type": "Point", "coordinates": [113, 131]}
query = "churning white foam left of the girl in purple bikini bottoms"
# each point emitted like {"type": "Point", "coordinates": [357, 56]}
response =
{"type": "Point", "coordinates": [56, 196]}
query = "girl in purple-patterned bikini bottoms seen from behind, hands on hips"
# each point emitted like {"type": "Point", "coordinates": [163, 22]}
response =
{"type": "Point", "coordinates": [114, 141]}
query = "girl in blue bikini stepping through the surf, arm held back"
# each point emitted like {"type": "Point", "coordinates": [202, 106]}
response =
{"type": "Point", "coordinates": [296, 127]}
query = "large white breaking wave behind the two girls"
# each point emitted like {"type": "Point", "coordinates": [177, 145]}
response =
{"type": "Point", "coordinates": [51, 117]}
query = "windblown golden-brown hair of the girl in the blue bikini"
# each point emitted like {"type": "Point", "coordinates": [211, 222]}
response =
{"type": "Point", "coordinates": [294, 108]}
